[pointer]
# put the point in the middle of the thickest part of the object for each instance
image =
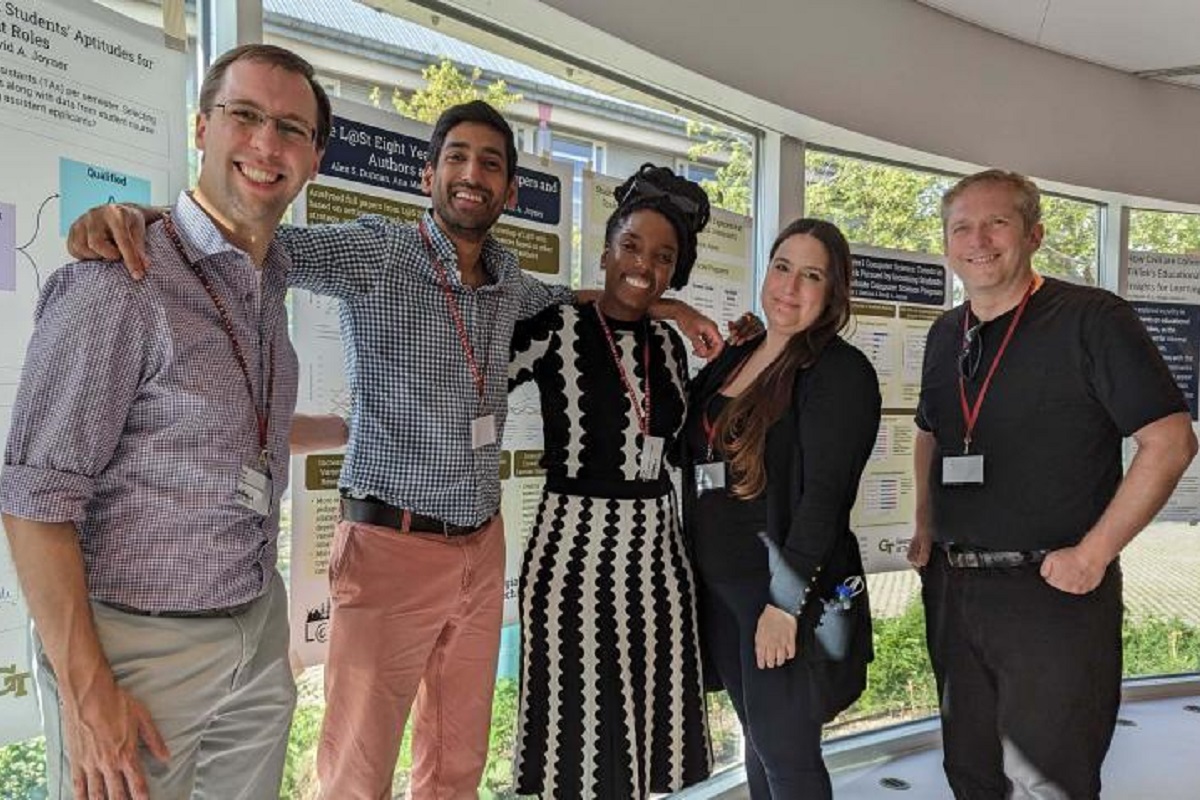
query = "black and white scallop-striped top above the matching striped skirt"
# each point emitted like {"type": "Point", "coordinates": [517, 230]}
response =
{"type": "Point", "coordinates": [592, 442]}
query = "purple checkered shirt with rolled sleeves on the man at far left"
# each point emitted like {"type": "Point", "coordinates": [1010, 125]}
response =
{"type": "Point", "coordinates": [134, 422]}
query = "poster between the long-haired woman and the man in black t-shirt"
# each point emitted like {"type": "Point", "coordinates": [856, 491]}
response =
{"type": "Point", "coordinates": [896, 297]}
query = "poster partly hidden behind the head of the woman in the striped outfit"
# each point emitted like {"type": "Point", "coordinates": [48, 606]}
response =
{"type": "Point", "coordinates": [723, 281]}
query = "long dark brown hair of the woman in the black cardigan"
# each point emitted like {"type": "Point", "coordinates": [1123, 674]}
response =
{"type": "Point", "coordinates": [743, 424]}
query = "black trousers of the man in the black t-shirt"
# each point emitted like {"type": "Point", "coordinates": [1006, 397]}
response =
{"type": "Point", "coordinates": [1029, 679]}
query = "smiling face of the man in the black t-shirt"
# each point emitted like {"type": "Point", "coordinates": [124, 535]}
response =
{"type": "Point", "coordinates": [988, 244]}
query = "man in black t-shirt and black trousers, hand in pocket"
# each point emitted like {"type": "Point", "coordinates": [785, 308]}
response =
{"type": "Point", "coordinates": [1022, 508]}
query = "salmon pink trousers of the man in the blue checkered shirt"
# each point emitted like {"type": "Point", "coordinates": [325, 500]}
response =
{"type": "Point", "coordinates": [416, 617]}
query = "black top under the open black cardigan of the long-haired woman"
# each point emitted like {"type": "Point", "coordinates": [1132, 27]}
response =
{"type": "Point", "coordinates": [725, 530]}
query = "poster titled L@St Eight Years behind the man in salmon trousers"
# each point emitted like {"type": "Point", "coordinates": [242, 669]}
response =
{"type": "Point", "coordinates": [374, 166]}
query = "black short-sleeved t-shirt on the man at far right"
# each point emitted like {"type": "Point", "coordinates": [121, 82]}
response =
{"type": "Point", "coordinates": [1079, 374]}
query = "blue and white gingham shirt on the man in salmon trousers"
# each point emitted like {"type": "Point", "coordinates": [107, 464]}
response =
{"type": "Point", "coordinates": [412, 392]}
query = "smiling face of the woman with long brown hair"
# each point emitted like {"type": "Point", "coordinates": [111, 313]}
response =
{"type": "Point", "coordinates": [797, 285]}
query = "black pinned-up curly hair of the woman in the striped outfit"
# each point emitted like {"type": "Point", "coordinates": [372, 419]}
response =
{"type": "Point", "coordinates": [681, 201]}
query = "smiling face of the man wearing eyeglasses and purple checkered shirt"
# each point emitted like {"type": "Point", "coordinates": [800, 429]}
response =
{"type": "Point", "coordinates": [251, 175]}
